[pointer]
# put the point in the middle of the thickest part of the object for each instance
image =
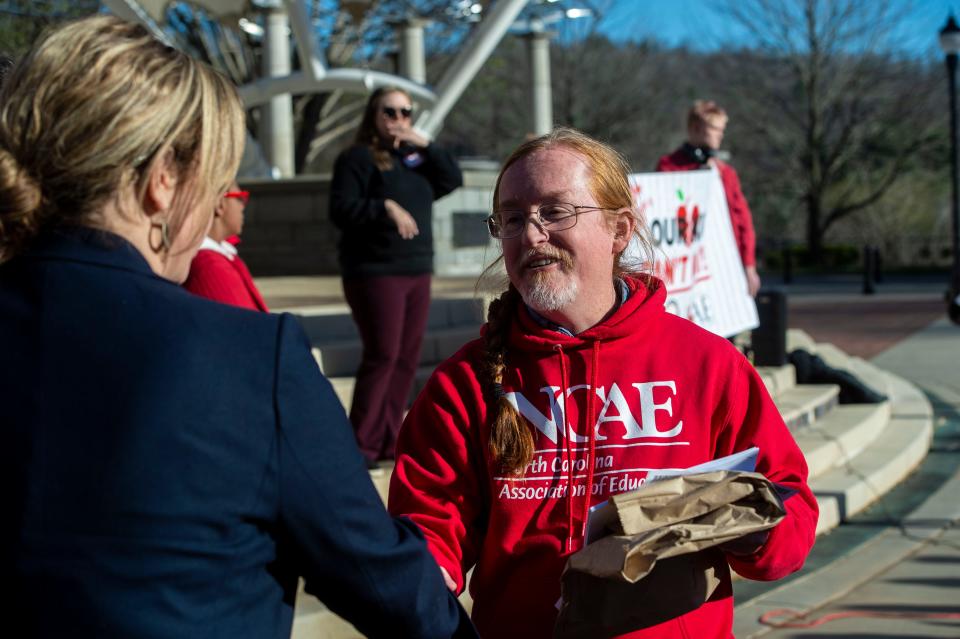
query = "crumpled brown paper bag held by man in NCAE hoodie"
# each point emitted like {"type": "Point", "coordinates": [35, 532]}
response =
{"type": "Point", "coordinates": [661, 560]}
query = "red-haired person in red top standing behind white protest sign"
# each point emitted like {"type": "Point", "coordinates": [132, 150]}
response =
{"type": "Point", "coordinates": [706, 124]}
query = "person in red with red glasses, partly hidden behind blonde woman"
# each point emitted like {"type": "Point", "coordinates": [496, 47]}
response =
{"type": "Point", "coordinates": [217, 272]}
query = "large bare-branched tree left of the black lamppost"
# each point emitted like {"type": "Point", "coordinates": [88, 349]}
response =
{"type": "Point", "coordinates": [825, 101]}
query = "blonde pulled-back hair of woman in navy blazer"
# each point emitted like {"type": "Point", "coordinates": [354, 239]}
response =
{"type": "Point", "coordinates": [91, 110]}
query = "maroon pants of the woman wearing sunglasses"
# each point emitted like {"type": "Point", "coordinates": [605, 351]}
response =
{"type": "Point", "coordinates": [391, 315]}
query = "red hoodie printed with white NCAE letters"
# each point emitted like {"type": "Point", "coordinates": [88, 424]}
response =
{"type": "Point", "coordinates": [667, 394]}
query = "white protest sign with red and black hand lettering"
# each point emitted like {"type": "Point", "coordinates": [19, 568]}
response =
{"type": "Point", "coordinates": [694, 249]}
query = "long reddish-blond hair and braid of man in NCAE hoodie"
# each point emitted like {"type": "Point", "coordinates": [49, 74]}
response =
{"type": "Point", "coordinates": [511, 442]}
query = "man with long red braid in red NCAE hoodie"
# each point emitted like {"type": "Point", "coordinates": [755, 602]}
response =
{"type": "Point", "coordinates": [580, 384]}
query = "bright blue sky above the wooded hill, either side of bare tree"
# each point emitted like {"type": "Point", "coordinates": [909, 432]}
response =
{"type": "Point", "coordinates": [698, 24]}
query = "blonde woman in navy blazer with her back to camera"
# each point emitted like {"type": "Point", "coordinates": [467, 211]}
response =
{"type": "Point", "coordinates": [171, 465]}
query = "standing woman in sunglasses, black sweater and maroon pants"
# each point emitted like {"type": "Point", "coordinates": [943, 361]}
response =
{"type": "Point", "coordinates": [381, 199]}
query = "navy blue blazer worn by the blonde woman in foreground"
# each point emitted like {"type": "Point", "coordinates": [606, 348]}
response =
{"type": "Point", "coordinates": [171, 465]}
